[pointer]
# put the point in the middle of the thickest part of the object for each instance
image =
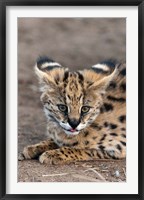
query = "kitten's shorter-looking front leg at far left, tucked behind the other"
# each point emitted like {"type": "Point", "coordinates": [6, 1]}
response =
{"type": "Point", "coordinates": [33, 151]}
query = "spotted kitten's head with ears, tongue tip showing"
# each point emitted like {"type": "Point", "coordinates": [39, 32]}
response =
{"type": "Point", "coordinates": [72, 99]}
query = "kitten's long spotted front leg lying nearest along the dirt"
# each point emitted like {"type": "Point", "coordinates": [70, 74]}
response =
{"type": "Point", "coordinates": [66, 155]}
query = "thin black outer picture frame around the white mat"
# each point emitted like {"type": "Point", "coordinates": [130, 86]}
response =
{"type": "Point", "coordinates": [3, 99]}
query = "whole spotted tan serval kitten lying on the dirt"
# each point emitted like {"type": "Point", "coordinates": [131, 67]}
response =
{"type": "Point", "coordinates": [86, 112]}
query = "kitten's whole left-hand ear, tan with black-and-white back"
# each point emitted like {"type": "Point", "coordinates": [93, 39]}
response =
{"type": "Point", "coordinates": [49, 72]}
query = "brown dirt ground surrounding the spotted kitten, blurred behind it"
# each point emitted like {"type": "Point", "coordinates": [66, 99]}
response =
{"type": "Point", "coordinates": [75, 43]}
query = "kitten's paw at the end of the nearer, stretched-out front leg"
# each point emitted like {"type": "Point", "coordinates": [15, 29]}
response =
{"type": "Point", "coordinates": [52, 157]}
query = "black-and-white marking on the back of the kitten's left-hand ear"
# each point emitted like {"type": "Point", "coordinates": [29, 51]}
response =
{"type": "Point", "coordinates": [46, 64]}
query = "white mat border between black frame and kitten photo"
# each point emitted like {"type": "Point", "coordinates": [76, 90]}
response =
{"type": "Point", "coordinates": [131, 15]}
